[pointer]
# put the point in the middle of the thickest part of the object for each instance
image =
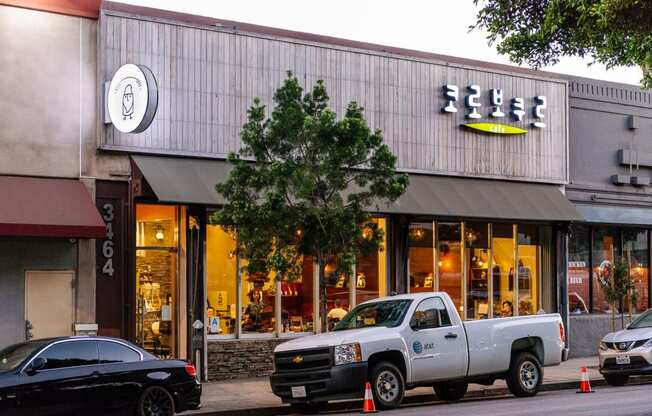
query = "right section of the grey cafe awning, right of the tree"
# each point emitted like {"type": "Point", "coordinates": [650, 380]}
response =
{"type": "Point", "coordinates": [444, 196]}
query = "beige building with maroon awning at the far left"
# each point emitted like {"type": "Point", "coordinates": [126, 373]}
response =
{"type": "Point", "coordinates": [48, 218]}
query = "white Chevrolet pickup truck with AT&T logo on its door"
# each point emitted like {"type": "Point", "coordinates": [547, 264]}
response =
{"type": "Point", "coordinates": [401, 342]}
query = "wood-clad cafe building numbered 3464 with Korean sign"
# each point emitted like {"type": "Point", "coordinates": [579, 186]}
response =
{"type": "Point", "coordinates": [484, 218]}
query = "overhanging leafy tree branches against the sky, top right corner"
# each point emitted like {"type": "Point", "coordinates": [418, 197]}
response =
{"type": "Point", "coordinates": [539, 32]}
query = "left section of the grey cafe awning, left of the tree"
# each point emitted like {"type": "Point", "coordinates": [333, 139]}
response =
{"type": "Point", "coordinates": [190, 181]}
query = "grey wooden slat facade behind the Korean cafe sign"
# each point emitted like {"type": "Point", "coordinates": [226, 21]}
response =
{"type": "Point", "coordinates": [208, 77]}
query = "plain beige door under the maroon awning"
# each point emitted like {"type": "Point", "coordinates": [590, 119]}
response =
{"type": "Point", "coordinates": [49, 302]}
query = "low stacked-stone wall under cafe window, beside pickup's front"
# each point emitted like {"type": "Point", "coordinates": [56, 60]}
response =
{"type": "Point", "coordinates": [241, 358]}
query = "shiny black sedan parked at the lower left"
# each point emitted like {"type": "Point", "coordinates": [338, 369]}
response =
{"type": "Point", "coordinates": [93, 375]}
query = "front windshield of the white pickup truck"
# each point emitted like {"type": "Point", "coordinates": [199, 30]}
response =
{"type": "Point", "coordinates": [387, 313]}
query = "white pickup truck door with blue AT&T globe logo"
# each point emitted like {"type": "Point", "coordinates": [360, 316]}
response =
{"type": "Point", "coordinates": [437, 345]}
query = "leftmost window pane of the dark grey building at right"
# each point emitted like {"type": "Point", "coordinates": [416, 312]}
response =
{"type": "Point", "coordinates": [578, 270]}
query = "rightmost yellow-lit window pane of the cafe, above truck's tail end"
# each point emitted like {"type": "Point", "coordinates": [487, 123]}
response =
{"type": "Point", "coordinates": [528, 269]}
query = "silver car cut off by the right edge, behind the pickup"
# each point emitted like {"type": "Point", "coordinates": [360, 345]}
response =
{"type": "Point", "coordinates": [628, 352]}
